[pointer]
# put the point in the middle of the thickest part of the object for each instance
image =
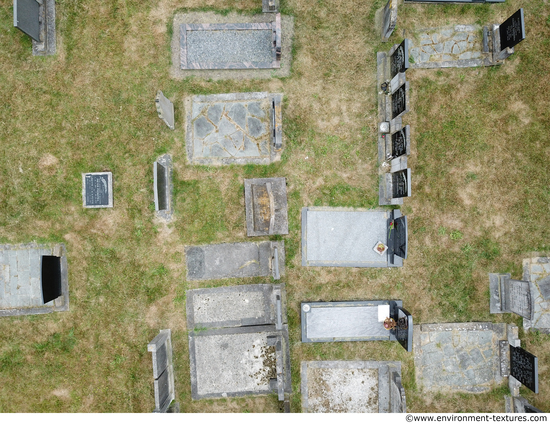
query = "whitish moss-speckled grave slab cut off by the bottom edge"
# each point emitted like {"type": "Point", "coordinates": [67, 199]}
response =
{"type": "Point", "coordinates": [351, 386]}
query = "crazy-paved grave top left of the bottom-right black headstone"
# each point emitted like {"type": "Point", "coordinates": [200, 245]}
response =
{"type": "Point", "coordinates": [458, 357]}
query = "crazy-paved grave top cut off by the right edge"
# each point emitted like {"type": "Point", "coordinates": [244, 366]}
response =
{"type": "Point", "coordinates": [536, 270]}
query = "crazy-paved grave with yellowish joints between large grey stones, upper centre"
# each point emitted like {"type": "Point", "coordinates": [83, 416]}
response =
{"type": "Point", "coordinates": [236, 128]}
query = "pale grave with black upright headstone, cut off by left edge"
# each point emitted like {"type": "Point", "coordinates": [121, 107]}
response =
{"type": "Point", "coordinates": [33, 279]}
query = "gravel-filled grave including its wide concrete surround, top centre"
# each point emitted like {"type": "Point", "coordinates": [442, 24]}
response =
{"type": "Point", "coordinates": [215, 50]}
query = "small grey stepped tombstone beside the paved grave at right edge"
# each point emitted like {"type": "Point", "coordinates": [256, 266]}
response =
{"type": "Point", "coordinates": [509, 295]}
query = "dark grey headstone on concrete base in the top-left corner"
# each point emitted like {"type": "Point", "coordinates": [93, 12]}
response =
{"type": "Point", "coordinates": [37, 20]}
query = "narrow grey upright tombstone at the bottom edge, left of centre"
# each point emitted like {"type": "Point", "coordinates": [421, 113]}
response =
{"type": "Point", "coordinates": [163, 370]}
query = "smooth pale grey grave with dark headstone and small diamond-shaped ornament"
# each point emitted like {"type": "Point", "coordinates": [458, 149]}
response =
{"type": "Point", "coordinates": [343, 237]}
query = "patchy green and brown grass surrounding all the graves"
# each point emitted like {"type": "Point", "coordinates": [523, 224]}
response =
{"type": "Point", "coordinates": [480, 192]}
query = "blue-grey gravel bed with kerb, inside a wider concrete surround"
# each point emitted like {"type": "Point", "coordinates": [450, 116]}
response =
{"type": "Point", "coordinates": [228, 46]}
